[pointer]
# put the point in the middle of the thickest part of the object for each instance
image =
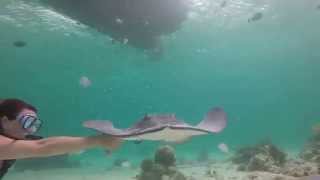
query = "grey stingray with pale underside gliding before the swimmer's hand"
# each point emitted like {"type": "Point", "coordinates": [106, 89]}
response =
{"type": "Point", "coordinates": [163, 127]}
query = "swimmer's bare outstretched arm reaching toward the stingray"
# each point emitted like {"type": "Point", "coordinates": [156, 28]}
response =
{"type": "Point", "coordinates": [20, 149]}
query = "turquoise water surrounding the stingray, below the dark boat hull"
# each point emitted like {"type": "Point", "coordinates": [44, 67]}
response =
{"type": "Point", "coordinates": [265, 74]}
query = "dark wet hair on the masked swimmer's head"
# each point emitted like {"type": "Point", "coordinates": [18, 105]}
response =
{"type": "Point", "coordinates": [12, 107]}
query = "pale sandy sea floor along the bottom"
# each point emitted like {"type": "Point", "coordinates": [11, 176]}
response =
{"type": "Point", "coordinates": [217, 170]}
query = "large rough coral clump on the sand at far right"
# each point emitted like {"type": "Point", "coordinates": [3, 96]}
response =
{"type": "Point", "coordinates": [267, 157]}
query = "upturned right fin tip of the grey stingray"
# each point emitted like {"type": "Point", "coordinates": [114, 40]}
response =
{"type": "Point", "coordinates": [215, 120]}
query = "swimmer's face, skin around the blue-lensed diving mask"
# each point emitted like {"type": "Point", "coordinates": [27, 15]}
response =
{"type": "Point", "coordinates": [14, 128]}
